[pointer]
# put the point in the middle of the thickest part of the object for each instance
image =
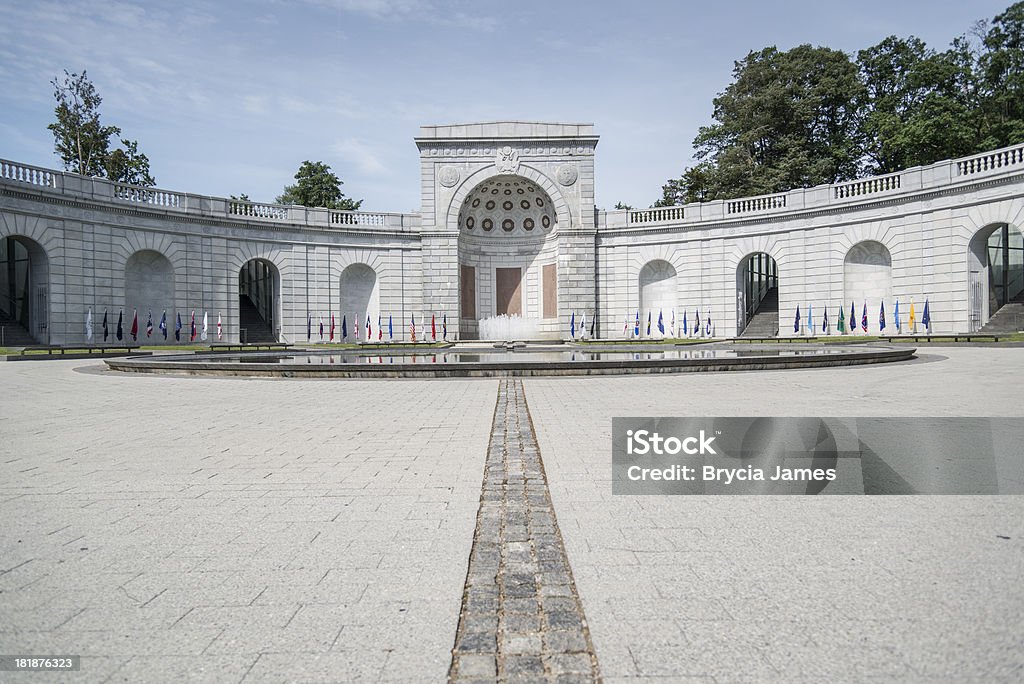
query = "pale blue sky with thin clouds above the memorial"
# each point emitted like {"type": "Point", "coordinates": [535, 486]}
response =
{"type": "Point", "coordinates": [230, 98]}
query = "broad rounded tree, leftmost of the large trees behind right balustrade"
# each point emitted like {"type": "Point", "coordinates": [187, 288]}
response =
{"type": "Point", "coordinates": [788, 120]}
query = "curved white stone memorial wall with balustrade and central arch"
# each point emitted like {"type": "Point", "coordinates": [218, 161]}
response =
{"type": "Point", "coordinates": [104, 246]}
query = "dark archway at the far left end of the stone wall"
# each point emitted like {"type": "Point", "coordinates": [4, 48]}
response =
{"type": "Point", "coordinates": [24, 308]}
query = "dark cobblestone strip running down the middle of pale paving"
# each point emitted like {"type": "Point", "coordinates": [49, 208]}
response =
{"type": "Point", "coordinates": [522, 618]}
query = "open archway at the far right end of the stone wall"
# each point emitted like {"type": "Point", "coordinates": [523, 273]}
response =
{"type": "Point", "coordinates": [996, 272]}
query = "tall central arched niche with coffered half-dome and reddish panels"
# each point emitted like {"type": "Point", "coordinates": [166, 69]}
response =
{"type": "Point", "coordinates": [508, 251]}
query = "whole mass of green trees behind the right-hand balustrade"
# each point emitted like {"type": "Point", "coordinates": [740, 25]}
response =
{"type": "Point", "coordinates": [813, 115]}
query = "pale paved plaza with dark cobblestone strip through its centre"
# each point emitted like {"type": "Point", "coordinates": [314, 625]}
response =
{"type": "Point", "coordinates": [227, 530]}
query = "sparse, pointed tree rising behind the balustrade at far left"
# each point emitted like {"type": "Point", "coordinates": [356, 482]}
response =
{"type": "Point", "coordinates": [84, 143]}
